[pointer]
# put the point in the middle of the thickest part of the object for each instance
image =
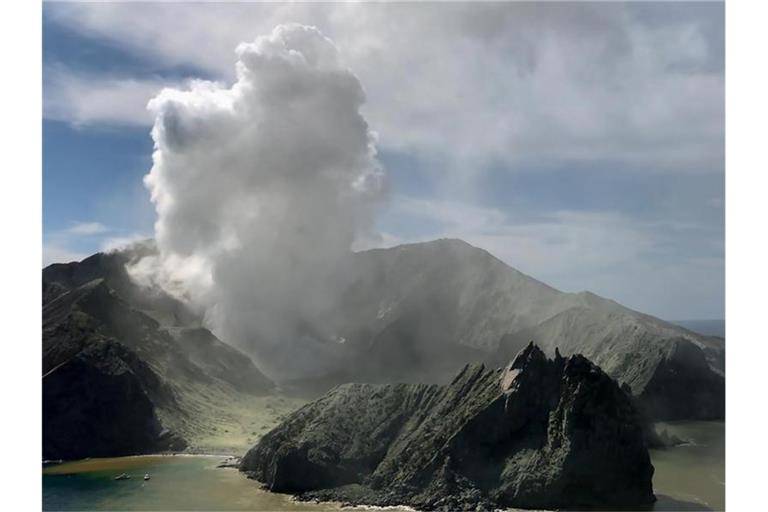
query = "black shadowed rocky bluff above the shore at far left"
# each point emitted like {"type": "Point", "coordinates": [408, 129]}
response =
{"type": "Point", "coordinates": [97, 404]}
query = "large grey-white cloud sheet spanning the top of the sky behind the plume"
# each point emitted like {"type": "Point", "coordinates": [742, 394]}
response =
{"type": "Point", "coordinates": [509, 82]}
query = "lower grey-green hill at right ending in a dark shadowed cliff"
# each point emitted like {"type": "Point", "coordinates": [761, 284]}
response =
{"type": "Point", "coordinates": [671, 375]}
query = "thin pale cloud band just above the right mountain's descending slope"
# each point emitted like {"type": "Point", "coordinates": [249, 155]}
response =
{"type": "Point", "coordinates": [603, 252]}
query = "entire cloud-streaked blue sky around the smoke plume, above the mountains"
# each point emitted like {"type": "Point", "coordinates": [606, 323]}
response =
{"type": "Point", "coordinates": [580, 144]}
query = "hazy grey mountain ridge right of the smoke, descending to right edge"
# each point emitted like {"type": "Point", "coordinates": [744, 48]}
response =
{"type": "Point", "coordinates": [459, 299]}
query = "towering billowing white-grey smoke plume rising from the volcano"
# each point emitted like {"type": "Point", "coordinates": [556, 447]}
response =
{"type": "Point", "coordinates": [261, 189]}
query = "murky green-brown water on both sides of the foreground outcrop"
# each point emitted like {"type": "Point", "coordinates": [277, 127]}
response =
{"type": "Point", "coordinates": [688, 477]}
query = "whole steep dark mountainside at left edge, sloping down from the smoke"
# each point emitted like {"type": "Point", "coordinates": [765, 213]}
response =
{"type": "Point", "coordinates": [126, 370]}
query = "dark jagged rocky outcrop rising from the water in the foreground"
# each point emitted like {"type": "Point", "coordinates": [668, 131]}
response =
{"type": "Point", "coordinates": [545, 433]}
